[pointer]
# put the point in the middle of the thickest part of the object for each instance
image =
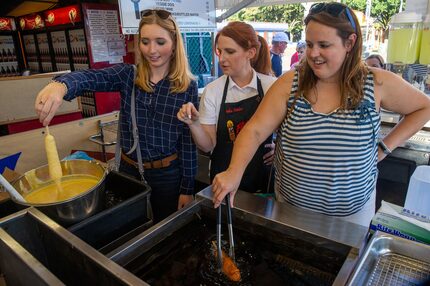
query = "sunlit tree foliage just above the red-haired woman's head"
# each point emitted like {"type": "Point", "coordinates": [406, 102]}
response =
{"type": "Point", "coordinates": [293, 14]}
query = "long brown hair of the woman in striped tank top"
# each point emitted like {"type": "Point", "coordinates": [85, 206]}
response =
{"type": "Point", "coordinates": [353, 71]}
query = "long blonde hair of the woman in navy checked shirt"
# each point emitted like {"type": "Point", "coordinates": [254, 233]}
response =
{"type": "Point", "coordinates": [179, 71]}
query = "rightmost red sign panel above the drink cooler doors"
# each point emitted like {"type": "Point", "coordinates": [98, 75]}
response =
{"type": "Point", "coordinates": [66, 15]}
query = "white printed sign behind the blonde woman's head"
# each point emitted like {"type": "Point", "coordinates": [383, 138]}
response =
{"type": "Point", "coordinates": [191, 15]}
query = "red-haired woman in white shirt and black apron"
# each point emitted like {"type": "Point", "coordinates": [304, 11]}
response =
{"type": "Point", "coordinates": [228, 103]}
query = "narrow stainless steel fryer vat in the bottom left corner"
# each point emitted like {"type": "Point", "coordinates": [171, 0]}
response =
{"type": "Point", "coordinates": [34, 250]}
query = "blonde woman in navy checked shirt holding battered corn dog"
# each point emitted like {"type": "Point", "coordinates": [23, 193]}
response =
{"type": "Point", "coordinates": [155, 145]}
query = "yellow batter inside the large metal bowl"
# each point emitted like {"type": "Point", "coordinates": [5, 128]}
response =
{"type": "Point", "coordinates": [70, 186]}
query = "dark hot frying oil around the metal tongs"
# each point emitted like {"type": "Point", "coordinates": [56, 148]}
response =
{"type": "Point", "coordinates": [187, 258]}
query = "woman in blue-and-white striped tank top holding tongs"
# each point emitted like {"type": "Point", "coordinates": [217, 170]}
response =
{"type": "Point", "coordinates": [327, 116]}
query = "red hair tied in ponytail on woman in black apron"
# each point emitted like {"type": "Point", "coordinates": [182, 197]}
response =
{"type": "Point", "coordinates": [245, 36]}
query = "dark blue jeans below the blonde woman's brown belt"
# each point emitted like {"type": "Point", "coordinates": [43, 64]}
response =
{"type": "Point", "coordinates": [164, 183]}
